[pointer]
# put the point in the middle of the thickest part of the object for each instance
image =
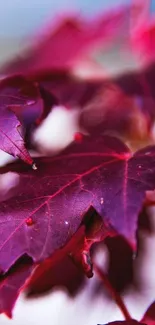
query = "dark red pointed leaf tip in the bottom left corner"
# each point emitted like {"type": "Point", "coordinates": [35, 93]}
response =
{"type": "Point", "coordinates": [12, 283]}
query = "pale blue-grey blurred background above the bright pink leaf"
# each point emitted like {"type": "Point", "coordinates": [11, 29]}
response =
{"type": "Point", "coordinates": [19, 19]}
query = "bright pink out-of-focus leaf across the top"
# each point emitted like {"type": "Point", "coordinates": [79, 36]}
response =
{"type": "Point", "coordinates": [74, 43]}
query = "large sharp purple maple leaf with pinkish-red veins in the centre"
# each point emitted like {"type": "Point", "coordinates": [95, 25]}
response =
{"type": "Point", "coordinates": [48, 206]}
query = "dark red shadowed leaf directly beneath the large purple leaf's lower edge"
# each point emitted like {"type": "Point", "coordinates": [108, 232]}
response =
{"type": "Point", "coordinates": [48, 273]}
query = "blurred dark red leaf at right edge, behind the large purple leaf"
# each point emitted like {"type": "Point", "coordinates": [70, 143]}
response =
{"type": "Point", "coordinates": [123, 106]}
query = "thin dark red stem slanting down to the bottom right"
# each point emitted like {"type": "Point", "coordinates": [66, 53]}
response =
{"type": "Point", "coordinates": [112, 292]}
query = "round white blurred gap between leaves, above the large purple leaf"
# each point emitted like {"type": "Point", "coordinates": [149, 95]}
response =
{"type": "Point", "coordinates": [57, 131]}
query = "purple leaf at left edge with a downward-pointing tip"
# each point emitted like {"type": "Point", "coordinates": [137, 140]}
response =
{"type": "Point", "coordinates": [20, 104]}
